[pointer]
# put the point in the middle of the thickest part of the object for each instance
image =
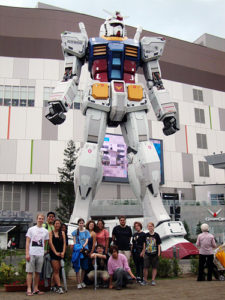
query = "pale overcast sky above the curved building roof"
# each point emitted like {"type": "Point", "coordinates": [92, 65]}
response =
{"type": "Point", "coordinates": [182, 19]}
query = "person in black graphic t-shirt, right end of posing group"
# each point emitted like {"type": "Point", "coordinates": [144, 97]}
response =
{"type": "Point", "coordinates": [152, 252]}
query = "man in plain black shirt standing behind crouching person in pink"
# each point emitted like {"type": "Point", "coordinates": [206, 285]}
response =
{"type": "Point", "coordinates": [121, 236]}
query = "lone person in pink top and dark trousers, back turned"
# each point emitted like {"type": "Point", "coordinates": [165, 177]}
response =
{"type": "Point", "coordinates": [205, 243]}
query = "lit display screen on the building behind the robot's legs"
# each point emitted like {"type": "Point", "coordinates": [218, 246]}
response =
{"type": "Point", "coordinates": [114, 158]}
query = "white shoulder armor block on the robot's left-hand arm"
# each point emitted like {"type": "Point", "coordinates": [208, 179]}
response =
{"type": "Point", "coordinates": [74, 43]}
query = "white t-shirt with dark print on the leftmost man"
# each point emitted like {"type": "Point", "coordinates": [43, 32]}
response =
{"type": "Point", "coordinates": [37, 236]}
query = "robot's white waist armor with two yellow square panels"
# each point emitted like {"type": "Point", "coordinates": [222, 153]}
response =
{"type": "Point", "coordinates": [117, 98]}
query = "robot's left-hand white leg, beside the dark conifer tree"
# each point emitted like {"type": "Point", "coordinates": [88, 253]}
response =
{"type": "Point", "coordinates": [88, 171]}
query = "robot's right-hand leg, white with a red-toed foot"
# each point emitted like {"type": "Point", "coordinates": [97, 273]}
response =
{"type": "Point", "coordinates": [144, 176]}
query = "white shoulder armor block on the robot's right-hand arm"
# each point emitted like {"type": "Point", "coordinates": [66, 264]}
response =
{"type": "Point", "coordinates": [152, 48]}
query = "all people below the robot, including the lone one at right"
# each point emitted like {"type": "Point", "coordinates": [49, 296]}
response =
{"type": "Point", "coordinates": [91, 250]}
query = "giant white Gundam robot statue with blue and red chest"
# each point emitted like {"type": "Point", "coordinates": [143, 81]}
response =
{"type": "Point", "coordinates": [113, 97]}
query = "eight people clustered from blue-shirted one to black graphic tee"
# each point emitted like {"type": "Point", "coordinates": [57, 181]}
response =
{"type": "Point", "coordinates": [91, 247]}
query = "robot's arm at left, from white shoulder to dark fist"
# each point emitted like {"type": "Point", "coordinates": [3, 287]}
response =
{"type": "Point", "coordinates": [74, 45]}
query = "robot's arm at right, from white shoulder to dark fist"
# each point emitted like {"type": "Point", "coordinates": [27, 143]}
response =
{"type": "Point", "coordinates": [152, 49]}
